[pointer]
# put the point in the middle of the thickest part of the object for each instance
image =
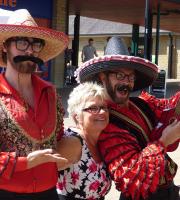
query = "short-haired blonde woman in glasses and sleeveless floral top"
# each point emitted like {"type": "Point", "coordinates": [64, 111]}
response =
{"type": "Point", "coordinates": [86, 176]}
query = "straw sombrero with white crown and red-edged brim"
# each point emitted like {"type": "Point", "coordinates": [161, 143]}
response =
{"type": "Point", "coordinates": [20, 23]}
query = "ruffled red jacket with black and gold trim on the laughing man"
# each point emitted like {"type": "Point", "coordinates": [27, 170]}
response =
{"type": "Point", "coordinates": [137, 163]}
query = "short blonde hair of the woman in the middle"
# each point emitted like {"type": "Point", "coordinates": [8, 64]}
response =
{"type": "Point", "coordinates": [80, 95]}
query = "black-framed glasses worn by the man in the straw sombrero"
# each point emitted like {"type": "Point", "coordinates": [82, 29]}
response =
{"type": "Point", "coordinates": [23, 43]}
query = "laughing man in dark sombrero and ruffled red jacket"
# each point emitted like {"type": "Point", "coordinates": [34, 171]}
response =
{"type": "Point", "coordinates": [135, 142]}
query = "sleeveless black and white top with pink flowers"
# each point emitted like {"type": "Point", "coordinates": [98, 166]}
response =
{"type": "Point", "coordinates": [85, 179]}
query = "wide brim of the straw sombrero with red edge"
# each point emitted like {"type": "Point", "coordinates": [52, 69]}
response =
{"type": "Point", "coordinates": [55, 41]}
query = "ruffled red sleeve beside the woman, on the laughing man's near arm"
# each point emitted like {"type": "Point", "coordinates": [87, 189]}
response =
{"type": "Point", "coordinates": [136, 172]}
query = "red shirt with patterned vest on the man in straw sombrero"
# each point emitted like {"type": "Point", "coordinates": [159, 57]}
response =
{"type": "Point", "coordinates": [25, 130]}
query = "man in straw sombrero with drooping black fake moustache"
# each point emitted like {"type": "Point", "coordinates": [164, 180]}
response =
{"type": "Point", "coordinates": [31, 114]}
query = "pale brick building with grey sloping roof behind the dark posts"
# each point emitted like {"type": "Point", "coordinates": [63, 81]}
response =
{"type": "Point", "coordinates": [100, 30]}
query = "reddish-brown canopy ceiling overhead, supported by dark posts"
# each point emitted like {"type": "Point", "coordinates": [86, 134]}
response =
{"type": "Point", "coordinates": [129, 11]}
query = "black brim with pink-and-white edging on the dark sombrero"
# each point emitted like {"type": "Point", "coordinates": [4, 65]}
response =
{"type": "Point", "coordinates": [146, 71]}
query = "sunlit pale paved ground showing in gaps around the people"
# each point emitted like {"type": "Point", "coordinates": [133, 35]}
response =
{"type": "Point", "coordinates": [114, 194]}
